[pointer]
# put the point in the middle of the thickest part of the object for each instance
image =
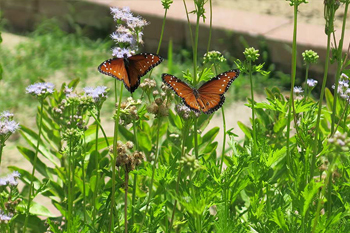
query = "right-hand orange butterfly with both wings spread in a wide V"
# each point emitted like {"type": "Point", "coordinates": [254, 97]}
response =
{"type": "Point", "coordinates": [209, 97]}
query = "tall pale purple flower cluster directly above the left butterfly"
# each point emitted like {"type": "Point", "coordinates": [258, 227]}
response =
{"type": "Point", "coordinates": [128, 34]}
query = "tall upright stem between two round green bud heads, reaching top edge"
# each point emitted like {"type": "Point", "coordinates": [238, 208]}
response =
{"type": "Point", "coordinates": [291, 98]}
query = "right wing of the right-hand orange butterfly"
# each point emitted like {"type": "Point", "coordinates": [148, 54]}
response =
{"type": "Point", "coordinates": [211, 94]}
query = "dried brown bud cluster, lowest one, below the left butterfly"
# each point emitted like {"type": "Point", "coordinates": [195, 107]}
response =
{"type": "Point", "coordinates": [128, 160]}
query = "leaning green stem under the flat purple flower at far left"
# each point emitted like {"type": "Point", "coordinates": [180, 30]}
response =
{"type": "Point", "coordinates": [31, 187]}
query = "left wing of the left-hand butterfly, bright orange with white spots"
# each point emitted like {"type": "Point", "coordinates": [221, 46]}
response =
{"type": "Point", "coordinates": [115, 67]}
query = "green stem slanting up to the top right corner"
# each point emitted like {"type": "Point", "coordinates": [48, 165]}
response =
{"type": "Point", "coordinates": [339, 67]}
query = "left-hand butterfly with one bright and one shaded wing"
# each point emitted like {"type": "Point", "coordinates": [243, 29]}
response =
{"type": "Point", "coordinates": [130, 69]}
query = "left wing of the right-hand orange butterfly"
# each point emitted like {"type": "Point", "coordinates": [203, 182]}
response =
{"type": "Point", "coordinates": [184, 91]}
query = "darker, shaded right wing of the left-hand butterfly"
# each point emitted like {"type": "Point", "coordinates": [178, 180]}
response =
{"type": "Point", "coordinates": [139, 65]}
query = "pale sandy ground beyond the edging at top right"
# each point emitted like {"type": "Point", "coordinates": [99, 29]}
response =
{"type": "Point", "coordinates": [311, 13]}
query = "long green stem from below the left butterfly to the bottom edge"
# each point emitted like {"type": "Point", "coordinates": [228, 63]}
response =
{"type": "Point", "coordinates": [114, 159]}
